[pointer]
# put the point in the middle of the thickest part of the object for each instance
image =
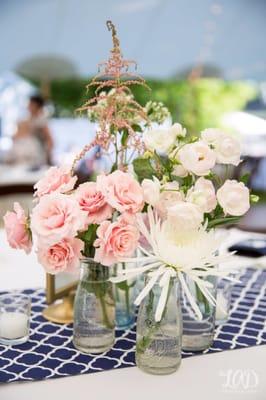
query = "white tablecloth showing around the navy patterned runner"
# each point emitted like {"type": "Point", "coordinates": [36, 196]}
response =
{"type": "Point", "coordinates": [229, 375]}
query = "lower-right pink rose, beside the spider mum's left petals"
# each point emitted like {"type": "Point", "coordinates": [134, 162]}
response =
{"type": "Point", "coordinates": [115, 241]}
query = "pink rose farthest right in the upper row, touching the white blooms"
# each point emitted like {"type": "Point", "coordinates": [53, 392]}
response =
{"type": "Point", "coordinates": [121, 191]}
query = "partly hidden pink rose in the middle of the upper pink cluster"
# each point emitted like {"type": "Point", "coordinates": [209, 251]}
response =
{"type": "Point", "coordinates": [93, 202]}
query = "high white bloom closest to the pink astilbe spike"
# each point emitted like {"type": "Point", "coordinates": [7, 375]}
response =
{"type": "Point", "coordinates": [160, 140]}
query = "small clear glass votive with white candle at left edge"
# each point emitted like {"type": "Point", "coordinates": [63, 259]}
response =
{"type": "Point", "coordinates": [14, 318]}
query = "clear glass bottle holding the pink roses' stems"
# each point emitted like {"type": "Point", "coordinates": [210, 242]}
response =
{"type": "Point", "coordinates": [94, 309]}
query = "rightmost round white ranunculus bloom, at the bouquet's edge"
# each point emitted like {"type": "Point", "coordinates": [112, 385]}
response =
{"type": "Point", "coordinates": [233, 197]}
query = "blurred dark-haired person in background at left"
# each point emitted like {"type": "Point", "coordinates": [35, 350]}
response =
{"type": "Point", "coordinates": [33, 144]}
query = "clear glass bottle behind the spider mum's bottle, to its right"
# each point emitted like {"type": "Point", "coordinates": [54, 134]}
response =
{"type": "Point", "coordinates": [198, 334]}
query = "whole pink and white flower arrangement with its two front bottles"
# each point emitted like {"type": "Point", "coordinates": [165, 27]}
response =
{"type": "Point", "coordinates": [156, 210]}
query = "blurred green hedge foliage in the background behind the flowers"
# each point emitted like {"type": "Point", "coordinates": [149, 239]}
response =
{"type": "Point", "coordinates": [195, 104]}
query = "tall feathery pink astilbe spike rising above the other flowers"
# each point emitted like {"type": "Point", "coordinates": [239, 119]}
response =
{"type": "Point", "coordinates": [121, 112]}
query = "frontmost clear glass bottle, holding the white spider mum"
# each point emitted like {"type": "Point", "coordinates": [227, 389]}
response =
{"type": "Point", "coordinates": [158, 347]}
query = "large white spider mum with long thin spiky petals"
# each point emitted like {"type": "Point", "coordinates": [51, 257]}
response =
{"type": "Point", "coordinates": [178, 253]}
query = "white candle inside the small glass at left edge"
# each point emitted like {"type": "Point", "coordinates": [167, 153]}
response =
{"type": "Point", "coordinates": [13, 325]}
